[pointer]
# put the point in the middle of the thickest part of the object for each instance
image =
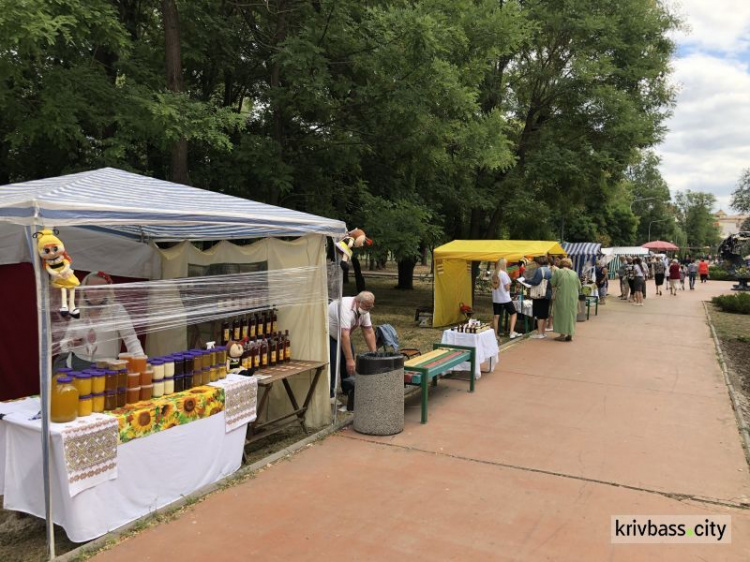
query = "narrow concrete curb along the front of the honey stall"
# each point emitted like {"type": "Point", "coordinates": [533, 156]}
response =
{"type": "Point", "coordinates": [90, 548]}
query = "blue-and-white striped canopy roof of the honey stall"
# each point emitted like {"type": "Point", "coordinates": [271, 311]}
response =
{"type": "Point", "coordinates": [148, 208]}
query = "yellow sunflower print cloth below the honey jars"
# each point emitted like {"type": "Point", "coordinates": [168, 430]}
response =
{"type": "Point", "coordinates": [149, 416]}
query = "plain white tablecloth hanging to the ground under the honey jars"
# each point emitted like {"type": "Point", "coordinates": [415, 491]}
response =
{"type": "Point", "coordinates": [153, 471]}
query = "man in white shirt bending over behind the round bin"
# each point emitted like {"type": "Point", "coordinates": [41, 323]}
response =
{"type": "Point", "coordinates": [354, 312]}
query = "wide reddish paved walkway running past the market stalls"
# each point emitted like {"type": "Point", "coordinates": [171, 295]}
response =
{"type": "Point", "coordinates": [632, 417]}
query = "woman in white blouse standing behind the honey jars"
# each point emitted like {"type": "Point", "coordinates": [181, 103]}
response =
{"type": "Point", "coordinates": [103, 325]}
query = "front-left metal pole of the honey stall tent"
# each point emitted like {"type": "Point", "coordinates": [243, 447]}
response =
{"type": "Point", "coordinates": [44, 336]}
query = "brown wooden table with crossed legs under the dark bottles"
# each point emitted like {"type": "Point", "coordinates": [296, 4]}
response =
{"type": "Point", "coordinates": [260, 429]}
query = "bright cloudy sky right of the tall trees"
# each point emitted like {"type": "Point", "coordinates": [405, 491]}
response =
{"type": "Point", "coordinates": [708, 143]}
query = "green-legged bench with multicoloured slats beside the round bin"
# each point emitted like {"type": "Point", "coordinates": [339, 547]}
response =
{"type": "Point", "coordinates": [419, 371]}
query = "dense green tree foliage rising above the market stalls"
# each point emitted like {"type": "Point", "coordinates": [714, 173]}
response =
{"type": "Point", "coordinates": [423, 120]}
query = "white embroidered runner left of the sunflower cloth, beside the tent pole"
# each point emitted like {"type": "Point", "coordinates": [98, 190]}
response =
{"type": "Point", "coordinates": [90, 449]}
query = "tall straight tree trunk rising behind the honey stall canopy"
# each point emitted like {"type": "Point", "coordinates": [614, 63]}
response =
{"type": "Point", "coordinates": [173, 63]}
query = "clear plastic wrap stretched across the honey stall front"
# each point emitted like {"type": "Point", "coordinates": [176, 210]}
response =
{"type": "Point", "coordinates": [111, 312]}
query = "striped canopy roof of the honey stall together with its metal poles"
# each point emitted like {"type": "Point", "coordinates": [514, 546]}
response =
{"type": "Point", "coordinates": [141, 208]}
